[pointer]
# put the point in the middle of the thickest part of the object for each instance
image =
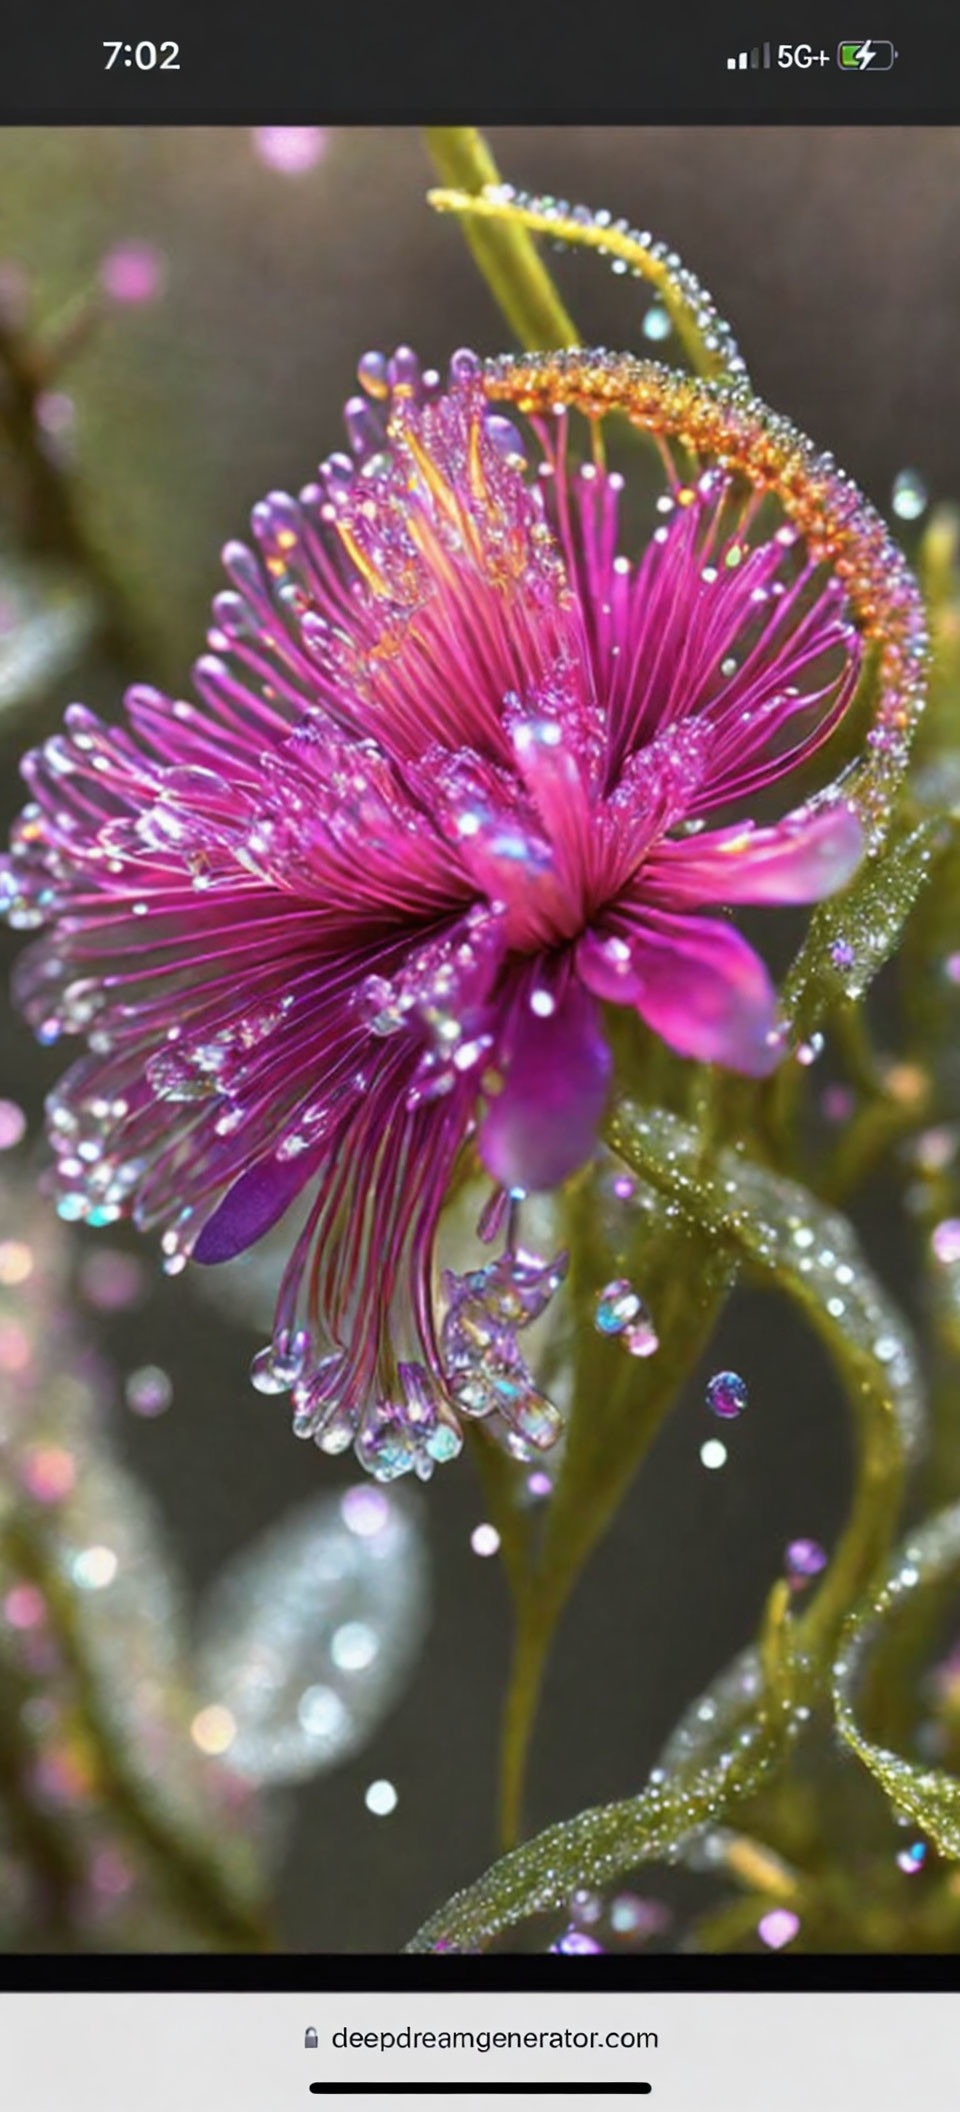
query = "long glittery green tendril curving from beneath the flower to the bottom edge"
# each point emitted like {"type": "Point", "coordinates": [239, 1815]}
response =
{"type": "Point", "coordinates": [742, 1731]}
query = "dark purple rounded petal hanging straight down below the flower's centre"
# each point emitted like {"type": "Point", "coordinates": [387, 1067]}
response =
{"type": "Point", "coordinates": [545, 1120]}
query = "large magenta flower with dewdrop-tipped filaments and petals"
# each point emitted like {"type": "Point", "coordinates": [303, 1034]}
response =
{"type": "Point", "coordinates": [461, 774]}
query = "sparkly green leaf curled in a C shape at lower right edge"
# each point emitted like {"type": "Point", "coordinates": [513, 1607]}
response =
{"type": "Point", "coordinates": [927, 1796]}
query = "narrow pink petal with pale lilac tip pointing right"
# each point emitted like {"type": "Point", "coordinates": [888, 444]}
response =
{"type": "Point", "coordinates": [801, 859]}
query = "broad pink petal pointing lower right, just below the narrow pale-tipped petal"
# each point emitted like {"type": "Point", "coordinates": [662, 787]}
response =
{"type": "Point", "coordinates": [695, 981]}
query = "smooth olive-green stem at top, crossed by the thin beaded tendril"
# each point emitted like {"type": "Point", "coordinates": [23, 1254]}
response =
{"type": "Point", "coordinates": [505, 254]}
